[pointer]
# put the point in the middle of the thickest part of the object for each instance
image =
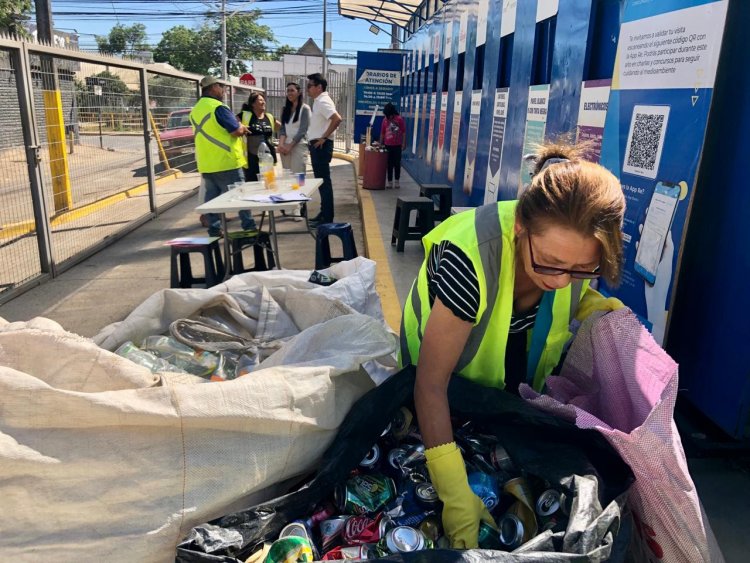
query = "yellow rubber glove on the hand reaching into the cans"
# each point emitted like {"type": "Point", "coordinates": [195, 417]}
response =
{"type": "Point", "coordinates": [462, 509]}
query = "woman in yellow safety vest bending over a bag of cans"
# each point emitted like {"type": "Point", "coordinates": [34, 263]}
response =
{"type": "Point", "coordinates": [494, 299]}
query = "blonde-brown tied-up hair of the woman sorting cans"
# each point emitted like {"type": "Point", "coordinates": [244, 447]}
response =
{"type": "Point", "coordinates": [571, 192]}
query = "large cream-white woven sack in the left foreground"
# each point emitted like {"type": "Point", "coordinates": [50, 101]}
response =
{"type": "Point", "coordinates": [100, 460]}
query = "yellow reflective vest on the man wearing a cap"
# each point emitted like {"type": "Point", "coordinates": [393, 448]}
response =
{"type": "Point", "coordinates": [215, 149]}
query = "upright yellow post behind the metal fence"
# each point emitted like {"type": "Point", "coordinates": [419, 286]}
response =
{"type": "Point", "coordinates": [58, 158]}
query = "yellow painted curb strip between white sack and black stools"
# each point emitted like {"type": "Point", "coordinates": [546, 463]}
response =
{"type": "Point", "coordinates": [375, 249]}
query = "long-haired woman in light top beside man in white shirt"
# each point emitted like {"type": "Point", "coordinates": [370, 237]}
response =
{"type": "Point", "coordinates": [295, 118]}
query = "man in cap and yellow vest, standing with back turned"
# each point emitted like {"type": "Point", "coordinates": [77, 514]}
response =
{"type": "Point", "coordinates": [219, 151]}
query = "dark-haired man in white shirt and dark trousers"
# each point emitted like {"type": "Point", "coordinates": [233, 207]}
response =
{"type": "Point", "coordinates": [323, 122]}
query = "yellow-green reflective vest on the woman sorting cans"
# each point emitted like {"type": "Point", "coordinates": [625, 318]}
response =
{"type": "Point", "coordinates": [486, 235]}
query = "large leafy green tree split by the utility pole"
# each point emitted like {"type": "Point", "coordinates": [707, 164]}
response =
{"type": "Point", "coordinates": [199, 50]}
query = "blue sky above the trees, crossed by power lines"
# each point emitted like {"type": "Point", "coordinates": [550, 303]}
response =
{"type": "Point", "coordinates": [292, 21]}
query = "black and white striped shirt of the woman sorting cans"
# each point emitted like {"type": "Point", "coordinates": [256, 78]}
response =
{"type": "Point", "coordinates": [451, 276]}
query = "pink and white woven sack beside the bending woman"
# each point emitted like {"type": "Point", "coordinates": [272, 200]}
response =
{"type": "Point", "coordinates": [617, 380]}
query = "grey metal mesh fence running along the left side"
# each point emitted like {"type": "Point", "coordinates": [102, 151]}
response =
{"type": "Point", "coordinates": [92, 147]}
